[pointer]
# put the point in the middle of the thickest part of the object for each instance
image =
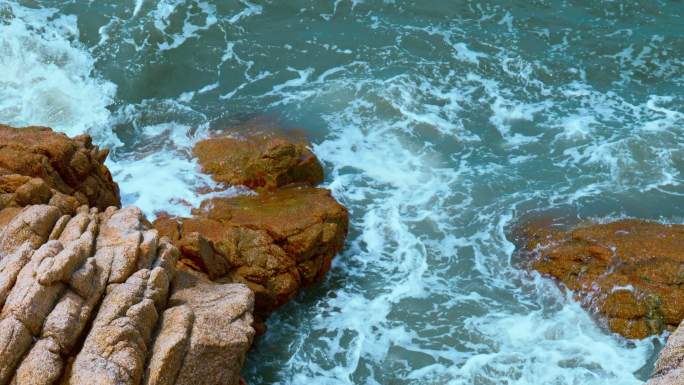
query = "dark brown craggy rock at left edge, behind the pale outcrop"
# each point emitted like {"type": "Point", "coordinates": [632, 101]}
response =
{"type": "Point", "coordinates": [39, 166]}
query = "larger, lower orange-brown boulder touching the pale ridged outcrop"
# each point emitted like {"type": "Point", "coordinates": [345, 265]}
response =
{"type": "Point", "coordinates": [275, 243]}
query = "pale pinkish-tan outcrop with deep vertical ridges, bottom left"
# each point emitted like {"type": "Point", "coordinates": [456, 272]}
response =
{"type": "Point", "coordinates": [91, 298]}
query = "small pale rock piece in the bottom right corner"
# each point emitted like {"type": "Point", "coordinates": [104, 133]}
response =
{"type": "Point", "coordinates": [669, 369]}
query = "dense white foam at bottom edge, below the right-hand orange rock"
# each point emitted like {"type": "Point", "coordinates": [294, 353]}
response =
{"type": "Point", "coordinates": [565, 347]}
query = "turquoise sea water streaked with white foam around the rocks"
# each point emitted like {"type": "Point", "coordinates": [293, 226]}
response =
{"type": "Point", "coordinates": [440, 123]}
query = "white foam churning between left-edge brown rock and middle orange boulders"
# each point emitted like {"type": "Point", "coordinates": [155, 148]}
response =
{"type": "Point", "coordinates": [161, 174]}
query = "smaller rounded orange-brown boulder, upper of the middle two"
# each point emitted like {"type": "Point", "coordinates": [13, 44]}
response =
{"type": "Point", "coordinates": [259, 160]}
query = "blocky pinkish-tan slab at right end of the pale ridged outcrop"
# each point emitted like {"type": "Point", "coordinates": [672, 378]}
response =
{"type": "Point", "coordinates": [215, 331]}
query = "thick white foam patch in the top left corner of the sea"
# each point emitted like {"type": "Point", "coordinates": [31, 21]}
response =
{"type": "Point", "coordinates": [47, 78]}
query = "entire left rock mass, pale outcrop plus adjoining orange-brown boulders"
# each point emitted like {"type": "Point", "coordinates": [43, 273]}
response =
{"type": "Point", "coordinates": [93, 294]}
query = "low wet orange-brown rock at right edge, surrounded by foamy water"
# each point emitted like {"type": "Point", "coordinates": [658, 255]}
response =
{"type": "Point", "coordinates": [629, 272]}
